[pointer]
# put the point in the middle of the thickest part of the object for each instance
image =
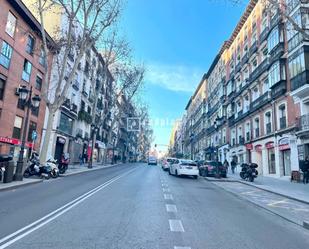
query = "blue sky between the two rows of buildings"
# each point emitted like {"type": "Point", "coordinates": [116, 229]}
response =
{"type": "Point", "coordinates": [177, 41]}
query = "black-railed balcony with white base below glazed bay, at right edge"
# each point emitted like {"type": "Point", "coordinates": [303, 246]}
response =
{"type": "Point", "coordinates": [300, 85]}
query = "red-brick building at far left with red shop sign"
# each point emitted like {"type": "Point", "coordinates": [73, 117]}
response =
{"type": "Point", "coordinates": [21, 64]}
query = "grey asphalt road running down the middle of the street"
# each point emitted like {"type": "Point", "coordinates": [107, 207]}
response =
{"type": "Point", "coordinates": [137, 206]}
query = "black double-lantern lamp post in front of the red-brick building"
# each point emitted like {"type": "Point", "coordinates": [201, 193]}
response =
{"type": "Point", "coordinates": [25, 96]}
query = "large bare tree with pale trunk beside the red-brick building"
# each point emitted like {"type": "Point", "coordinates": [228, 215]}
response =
{"type": "Point", "coordinates": [91, 19]}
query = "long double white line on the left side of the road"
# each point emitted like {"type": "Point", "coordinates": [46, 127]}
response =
{"type": "Point", "coordinates": [62, 210]}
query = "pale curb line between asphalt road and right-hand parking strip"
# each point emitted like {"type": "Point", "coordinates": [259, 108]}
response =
{"type": "Point", "coordinates": [304, 224]}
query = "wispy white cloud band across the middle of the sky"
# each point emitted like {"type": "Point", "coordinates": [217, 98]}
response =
{"type": "Point", "coordinates": [174, 77]}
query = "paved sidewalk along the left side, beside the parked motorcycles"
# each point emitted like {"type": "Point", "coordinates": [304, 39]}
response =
{"type": "Point", "coordinates": [72, 170]}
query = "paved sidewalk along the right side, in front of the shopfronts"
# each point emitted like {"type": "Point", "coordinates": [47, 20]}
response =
{"type": "Point", "coordinates": [281, 186]}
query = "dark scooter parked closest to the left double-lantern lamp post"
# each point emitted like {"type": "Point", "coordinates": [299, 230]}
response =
{"type": "Point", "coordinates": [35, 168]}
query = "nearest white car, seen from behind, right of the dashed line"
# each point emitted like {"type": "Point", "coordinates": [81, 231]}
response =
{"type": "Point", "coordinates": [184, 167]}
